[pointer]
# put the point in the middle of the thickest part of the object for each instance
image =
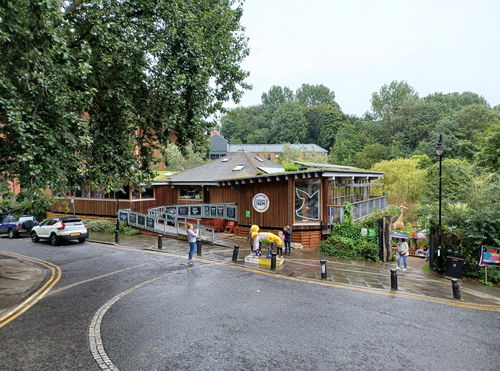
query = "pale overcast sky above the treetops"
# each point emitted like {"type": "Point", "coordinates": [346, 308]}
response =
{"type": "Point", "coordinates": [356, 46]}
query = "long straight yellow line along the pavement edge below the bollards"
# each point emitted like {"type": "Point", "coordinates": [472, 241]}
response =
{"type": "Point", "coordinates": [484, 307]}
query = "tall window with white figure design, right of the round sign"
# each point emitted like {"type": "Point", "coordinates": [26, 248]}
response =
{"type": "Point", "coordinates": [307, 200]}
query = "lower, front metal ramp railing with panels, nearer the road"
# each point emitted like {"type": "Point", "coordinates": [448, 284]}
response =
{"type": "Point", "coordinates": [171, 227]}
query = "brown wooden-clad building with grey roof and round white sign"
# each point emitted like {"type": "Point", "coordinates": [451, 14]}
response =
{"type": "Point", "coordinates": [310, 200]}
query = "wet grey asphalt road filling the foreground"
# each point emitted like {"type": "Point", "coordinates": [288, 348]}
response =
{"type": "Point", "coordinates": [210, 317]}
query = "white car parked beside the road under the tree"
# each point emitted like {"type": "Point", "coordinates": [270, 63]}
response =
{"type": "Point", "coordinates": [57, 230]}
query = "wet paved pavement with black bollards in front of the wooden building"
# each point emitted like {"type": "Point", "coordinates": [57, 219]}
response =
{"type": "Point", "coordinates": [303, 264]}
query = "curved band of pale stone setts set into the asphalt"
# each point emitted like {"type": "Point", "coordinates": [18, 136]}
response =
{"type": "Point", "coordinates": [95, 339]}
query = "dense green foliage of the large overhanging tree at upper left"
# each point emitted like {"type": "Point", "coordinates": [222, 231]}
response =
{"type": "Point", "coordinates": [90, 90]}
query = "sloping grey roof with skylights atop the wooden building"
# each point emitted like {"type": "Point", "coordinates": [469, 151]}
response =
{"type": "Point", "coordinates": [234, 165]}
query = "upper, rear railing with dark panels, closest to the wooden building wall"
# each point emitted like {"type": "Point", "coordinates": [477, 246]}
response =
{"type": "Point", "coordinates": [227, 211]}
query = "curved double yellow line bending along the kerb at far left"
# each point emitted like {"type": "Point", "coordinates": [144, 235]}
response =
{"type": "Point", "coordinates": [55, 276]}
